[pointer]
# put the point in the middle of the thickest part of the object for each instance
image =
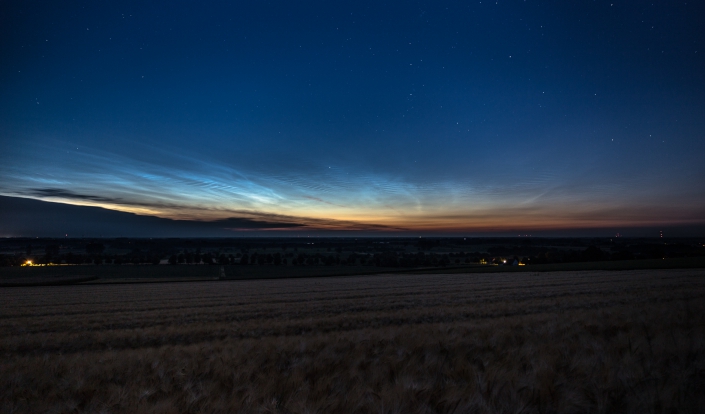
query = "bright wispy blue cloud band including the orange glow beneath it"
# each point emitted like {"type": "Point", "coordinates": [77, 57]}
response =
{"type": "Point", "coordinates": [172, 185]}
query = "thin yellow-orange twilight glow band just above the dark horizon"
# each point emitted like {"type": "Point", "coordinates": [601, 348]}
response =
{"type": "Point", "coordinates": [432, 219]}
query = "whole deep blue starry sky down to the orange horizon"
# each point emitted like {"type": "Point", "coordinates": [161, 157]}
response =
{"type": "Point", "coordinates": [358, 117]}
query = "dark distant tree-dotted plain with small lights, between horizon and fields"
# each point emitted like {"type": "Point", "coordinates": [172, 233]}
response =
{"type": "Point", "coordinates": [391, 252]}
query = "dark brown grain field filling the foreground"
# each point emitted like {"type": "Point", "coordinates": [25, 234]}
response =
{"type": "Point", "coordinates": [630, 341]}
